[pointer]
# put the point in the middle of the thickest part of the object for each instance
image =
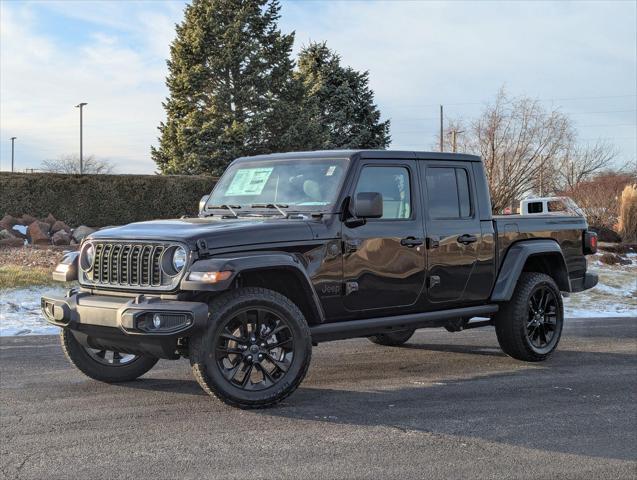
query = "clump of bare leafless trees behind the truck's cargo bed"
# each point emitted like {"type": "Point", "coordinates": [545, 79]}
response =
{"type": "Point", "coordinates": [527, 148]}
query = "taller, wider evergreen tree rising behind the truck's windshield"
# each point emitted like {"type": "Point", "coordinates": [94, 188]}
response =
{"type": "Point", "coordinates": [232, 90]}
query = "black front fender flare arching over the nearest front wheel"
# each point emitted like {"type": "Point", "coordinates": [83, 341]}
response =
{"type": "Point", "coordinates": [249, 262]}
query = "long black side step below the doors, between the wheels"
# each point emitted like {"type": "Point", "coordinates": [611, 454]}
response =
{"type": "Point", "coordinates": [371, 326]}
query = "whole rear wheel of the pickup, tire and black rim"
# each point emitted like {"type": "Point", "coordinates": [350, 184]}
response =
{"type": "Point", "coordinates": [529, 326]}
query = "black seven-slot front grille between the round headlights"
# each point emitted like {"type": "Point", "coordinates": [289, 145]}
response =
{"type": "Point", "coordinates": [124, 264]}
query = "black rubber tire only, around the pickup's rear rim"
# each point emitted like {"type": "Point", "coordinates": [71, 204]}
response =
{"type": "Point", "coordinates": [512, 319]}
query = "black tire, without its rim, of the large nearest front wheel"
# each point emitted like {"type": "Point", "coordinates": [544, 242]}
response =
{"type": "Point", "coordinates": [224, 307]}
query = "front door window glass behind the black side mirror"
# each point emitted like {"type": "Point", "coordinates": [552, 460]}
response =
{"type": "Point", "coordinates": [393, 184]}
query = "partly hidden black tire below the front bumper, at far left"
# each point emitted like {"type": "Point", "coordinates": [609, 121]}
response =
{"type": "Point", "coordinates": [79, 357]}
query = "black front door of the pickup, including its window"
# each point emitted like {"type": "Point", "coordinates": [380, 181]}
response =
{"type": "Point", "coordinates": [384, 260]}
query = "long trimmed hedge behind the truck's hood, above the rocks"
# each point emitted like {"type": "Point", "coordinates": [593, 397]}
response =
{"type": "Point", "coordinates": [101, 200]}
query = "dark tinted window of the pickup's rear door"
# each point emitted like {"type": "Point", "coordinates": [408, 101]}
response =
{"type": "Point", "coordinates": [448, 193]}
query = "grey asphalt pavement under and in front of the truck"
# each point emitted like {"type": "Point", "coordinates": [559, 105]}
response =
{"type": "Point", "coordinates": [447, 405]}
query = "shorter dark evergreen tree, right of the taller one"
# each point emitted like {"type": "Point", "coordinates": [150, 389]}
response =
{"type": "Point", "coordinates": [340, 102]}
